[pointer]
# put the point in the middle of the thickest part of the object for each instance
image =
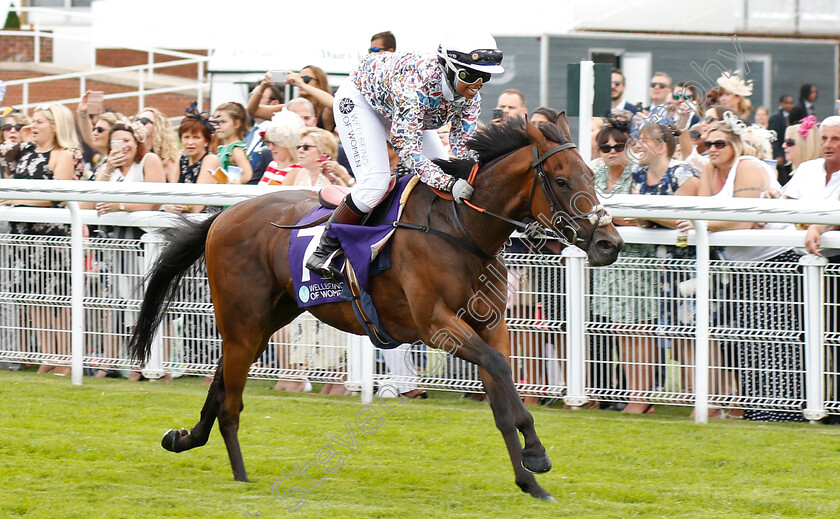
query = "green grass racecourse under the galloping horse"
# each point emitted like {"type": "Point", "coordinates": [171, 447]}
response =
{"type": "Point", "coordinates": [94, 452]}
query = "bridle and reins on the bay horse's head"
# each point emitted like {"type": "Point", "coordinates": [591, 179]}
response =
{"type": "Point", "coordinates": [599, 215]}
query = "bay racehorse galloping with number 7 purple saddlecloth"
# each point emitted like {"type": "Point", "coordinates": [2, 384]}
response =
{"type": "Point", "coordinates": [524, 171]}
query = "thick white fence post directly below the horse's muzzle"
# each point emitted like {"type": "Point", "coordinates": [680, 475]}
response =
{"type": "Point", "coordinates": [575, 326]}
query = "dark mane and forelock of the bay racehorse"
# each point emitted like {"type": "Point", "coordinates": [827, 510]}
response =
{"type": "Point", "coordinates": [496, 140]}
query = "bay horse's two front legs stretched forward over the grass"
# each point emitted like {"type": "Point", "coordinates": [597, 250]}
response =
{"type": "Point", "coordinates": [508, 411]}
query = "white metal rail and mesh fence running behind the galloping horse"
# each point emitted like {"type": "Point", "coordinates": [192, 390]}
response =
{"type": "Point", "coordinates": [631, 331]}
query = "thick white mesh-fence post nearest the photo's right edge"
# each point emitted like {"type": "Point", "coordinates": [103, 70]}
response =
{"type": "Point", "coordinates": [813, 276]}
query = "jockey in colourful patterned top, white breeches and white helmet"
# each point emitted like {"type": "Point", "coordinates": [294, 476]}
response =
{"type": "Point", "coordinates": [402, 98]}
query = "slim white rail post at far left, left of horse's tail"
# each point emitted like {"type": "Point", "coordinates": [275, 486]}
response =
{"type": "Point", "coordinates": [77, 294]}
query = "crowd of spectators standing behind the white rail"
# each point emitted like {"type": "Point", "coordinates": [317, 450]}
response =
{"type": "Point", "coordinates": [686, 142]}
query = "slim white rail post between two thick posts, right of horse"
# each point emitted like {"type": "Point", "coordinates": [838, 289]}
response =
{"type": "Point", "coordinates": [701, 346]}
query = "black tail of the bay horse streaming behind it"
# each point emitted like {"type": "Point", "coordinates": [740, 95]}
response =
{"type": "Point", "coordinates": [186, 246]}
